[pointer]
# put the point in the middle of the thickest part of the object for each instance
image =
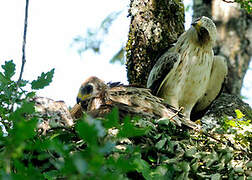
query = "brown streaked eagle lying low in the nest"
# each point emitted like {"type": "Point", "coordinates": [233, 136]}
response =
{"type": "Point", "coordinates": [98, 99]}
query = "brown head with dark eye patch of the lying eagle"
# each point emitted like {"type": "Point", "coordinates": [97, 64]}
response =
{"type": "Point", "coordinates": [89, 89]}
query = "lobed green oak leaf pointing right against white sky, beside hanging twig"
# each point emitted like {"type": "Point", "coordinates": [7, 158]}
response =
{"type": "Point", "coordinates": [44, 80]}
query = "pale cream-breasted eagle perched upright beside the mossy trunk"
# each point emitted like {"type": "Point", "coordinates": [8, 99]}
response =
{"type": "Point", "coordinates": [189, 74]}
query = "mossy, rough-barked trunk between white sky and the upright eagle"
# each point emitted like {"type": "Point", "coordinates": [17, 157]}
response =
{"type": "Point", "coordinates": [155, 25]}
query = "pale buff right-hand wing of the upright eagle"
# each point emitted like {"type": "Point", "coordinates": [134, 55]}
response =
{"type": "Point", "coordinates": [218, 74]}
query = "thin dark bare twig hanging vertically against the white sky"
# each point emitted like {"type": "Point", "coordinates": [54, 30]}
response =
{"type": "Point", "coordinates": [24, 41]}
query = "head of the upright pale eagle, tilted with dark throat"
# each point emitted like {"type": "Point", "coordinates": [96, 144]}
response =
{"type": "Point", "coordinates": [206, 30]}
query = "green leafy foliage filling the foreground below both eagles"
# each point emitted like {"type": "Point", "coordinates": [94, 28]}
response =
{"type": "Point", "coordinates": [113, 148]}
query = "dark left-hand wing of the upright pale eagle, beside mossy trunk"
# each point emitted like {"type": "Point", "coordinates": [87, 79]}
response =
{"type": "Point", "coordinates": [160, 70]}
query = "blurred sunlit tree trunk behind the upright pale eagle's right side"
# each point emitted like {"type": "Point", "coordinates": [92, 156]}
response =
{"type": "Point", "coordinates": [234, 42]}
